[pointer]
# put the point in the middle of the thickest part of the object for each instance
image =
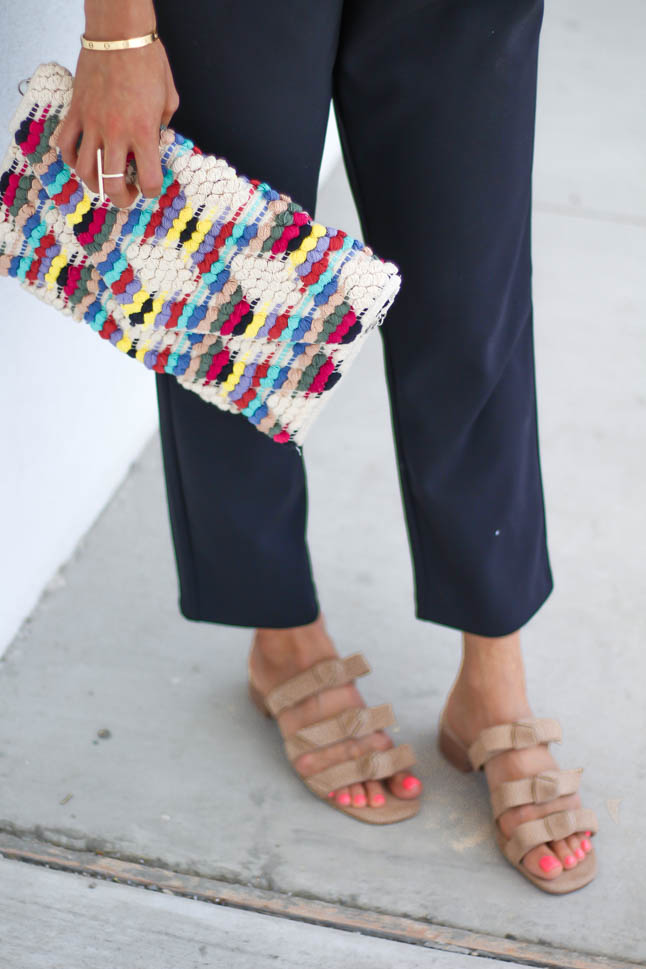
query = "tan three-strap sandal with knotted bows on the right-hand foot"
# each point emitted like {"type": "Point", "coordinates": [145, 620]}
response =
{"type": "Point", "coordinates": [536, 789]}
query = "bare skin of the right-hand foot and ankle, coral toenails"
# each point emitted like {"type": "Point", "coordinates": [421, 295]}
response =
{"type": "Point", "coordinates": [490, 690]}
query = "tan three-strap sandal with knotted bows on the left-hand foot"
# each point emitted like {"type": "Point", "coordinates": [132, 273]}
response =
{"type": "Point", "coordinates": [353, 722]}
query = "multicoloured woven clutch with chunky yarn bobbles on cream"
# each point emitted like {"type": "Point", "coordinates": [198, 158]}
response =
{"type": "Point", "coordinates": [221, 281]}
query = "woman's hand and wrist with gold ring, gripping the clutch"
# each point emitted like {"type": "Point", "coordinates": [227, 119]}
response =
{"type": "Point", "coordinates": [119, 101]}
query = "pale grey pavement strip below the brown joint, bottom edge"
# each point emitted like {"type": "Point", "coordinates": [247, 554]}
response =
{"type": "Point", "coordinates": [116, 925]}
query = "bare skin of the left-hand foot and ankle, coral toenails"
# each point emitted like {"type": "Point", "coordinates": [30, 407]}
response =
{"type": "Point", "coordinates": [278, 654]}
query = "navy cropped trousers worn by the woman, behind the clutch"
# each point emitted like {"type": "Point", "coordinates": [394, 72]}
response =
{"type": "Point", "coordinates": [435, 102]}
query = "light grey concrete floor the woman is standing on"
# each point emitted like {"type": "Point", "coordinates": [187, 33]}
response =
{"type": "Point", "coordinates": [107, 648]}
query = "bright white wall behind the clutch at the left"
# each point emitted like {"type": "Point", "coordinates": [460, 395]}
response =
{"type": "Point", "coordinates": [75, 411]}
